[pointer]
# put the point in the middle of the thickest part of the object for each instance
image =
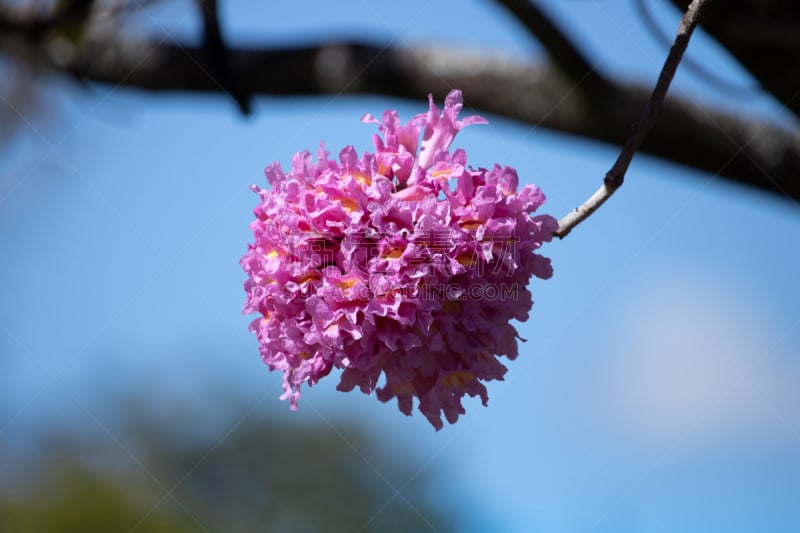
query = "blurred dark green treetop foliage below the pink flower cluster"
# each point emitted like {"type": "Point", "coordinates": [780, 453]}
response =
{"type": "Point", "coordinates": [152, 476]}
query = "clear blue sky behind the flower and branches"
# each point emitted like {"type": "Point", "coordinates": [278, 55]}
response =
{"type": "Point", "coordinates": [658, 390]}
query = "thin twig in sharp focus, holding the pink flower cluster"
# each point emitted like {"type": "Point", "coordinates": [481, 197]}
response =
{"type": "Point", "coordinates": [616, 175]}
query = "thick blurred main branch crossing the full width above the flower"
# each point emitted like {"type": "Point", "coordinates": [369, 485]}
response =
{"type": "Point", "coordinates": [745, 151]}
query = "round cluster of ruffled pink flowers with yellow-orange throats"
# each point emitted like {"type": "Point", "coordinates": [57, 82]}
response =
{"type": "Point", "coordinates": [401, 268]}
